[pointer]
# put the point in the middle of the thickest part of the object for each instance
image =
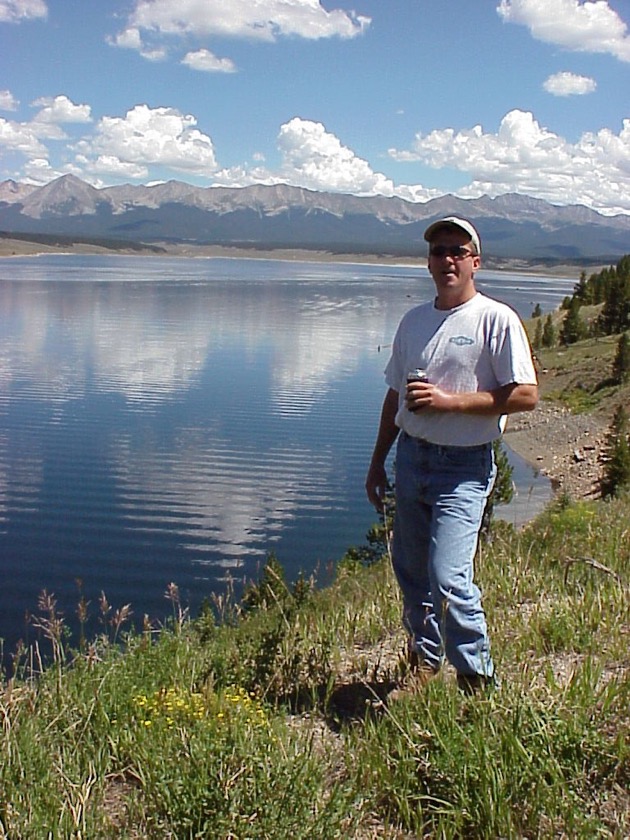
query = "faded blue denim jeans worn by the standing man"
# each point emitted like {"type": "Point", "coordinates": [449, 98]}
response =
{"type": "Point", "coordinates": [441, 494]}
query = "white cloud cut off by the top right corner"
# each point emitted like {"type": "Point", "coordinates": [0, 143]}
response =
{"type": "Point", "coordinates": [591, 26]}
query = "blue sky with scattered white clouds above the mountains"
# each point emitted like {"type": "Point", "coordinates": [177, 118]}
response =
{"type": "Point", "coordinates": [415, 98]}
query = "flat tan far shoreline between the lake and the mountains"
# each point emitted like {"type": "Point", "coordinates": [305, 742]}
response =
{"type": "Point", "coordinates": [27, 248]}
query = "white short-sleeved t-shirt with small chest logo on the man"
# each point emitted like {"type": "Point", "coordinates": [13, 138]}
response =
{"type": "Point", "coordinates": [478, 346]}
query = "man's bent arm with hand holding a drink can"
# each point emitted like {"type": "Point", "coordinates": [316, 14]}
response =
{"type": "Point", "coordinates": [505, 400]}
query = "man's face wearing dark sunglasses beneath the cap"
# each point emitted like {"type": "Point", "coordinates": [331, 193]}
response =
{"type": "Point", "coordinates": [452, 272]}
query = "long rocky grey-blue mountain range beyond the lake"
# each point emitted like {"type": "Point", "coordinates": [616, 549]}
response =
{"type": "Point", "coordinates": [282, 216]}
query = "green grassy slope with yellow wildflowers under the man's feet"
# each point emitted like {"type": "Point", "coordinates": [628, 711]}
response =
{"type": "Point", "coordinates": [268, 722]}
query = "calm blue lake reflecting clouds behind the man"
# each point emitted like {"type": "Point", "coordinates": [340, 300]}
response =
{"type": "Point", "coordinates": [175, 420]}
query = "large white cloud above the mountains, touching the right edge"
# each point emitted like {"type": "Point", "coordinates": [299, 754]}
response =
{"type": "Point", "coordinates": [527, 158]}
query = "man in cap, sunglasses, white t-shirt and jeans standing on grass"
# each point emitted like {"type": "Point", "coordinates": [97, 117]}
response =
{"type": "Point", "coordinates": [479, 368]}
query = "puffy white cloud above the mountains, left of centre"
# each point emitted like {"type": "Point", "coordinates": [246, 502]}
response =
{"type": "Point", "coordinates": [151, 137]}
